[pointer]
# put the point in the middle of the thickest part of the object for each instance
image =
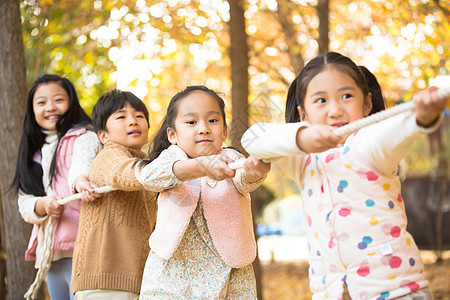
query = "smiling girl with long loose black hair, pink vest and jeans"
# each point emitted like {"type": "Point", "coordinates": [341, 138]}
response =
{"type": "Point", "coordinates": [55, 153]}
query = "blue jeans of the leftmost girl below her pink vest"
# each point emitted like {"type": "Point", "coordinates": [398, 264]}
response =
{"type": "Point", "coordinates": [58, 279]}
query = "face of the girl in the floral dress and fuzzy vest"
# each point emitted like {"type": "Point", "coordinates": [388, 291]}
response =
{"type": "Point", "coordinates": [199, 125]}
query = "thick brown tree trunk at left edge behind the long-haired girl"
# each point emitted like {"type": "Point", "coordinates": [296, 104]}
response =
{"type": "Point", "coordinates": [12, 99]}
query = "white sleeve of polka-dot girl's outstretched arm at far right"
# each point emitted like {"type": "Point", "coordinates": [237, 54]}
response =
{"type": "Point", "coordinates": [385, 143]}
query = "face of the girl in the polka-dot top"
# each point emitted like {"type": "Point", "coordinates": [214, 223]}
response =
{"type": "Point", "coordinates": [333, 98]}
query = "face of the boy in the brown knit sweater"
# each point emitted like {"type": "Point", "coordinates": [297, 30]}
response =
{"type": "Point", "coordinates": [127, 127]}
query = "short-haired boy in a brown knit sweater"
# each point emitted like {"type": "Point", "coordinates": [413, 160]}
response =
{"type": "Point", "coordinates": [114, 230]}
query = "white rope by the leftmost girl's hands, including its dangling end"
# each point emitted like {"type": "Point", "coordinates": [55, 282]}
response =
{"type": "Point", "coordinates": [47, 229]}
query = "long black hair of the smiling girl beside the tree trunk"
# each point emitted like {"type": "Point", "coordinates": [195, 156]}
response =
{"type": "Point", "coordinates": [28, 176]}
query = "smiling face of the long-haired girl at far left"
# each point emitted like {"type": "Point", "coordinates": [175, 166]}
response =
{"type": "Point", "coordinates": [50, 102]}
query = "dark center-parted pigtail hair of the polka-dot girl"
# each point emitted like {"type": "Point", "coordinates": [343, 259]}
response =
{"type": "Point", "coordinates": [363, 78]}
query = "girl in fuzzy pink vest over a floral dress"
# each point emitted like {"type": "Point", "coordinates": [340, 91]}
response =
{"type": "Point", "coordinates": [203, 244]}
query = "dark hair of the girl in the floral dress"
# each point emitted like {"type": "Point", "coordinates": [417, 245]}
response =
{"type": "Point", "coordinates": [160, 141]}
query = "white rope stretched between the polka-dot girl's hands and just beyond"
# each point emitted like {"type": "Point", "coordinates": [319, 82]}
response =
{"type": "Point", "coordinates": [379, 116]}
